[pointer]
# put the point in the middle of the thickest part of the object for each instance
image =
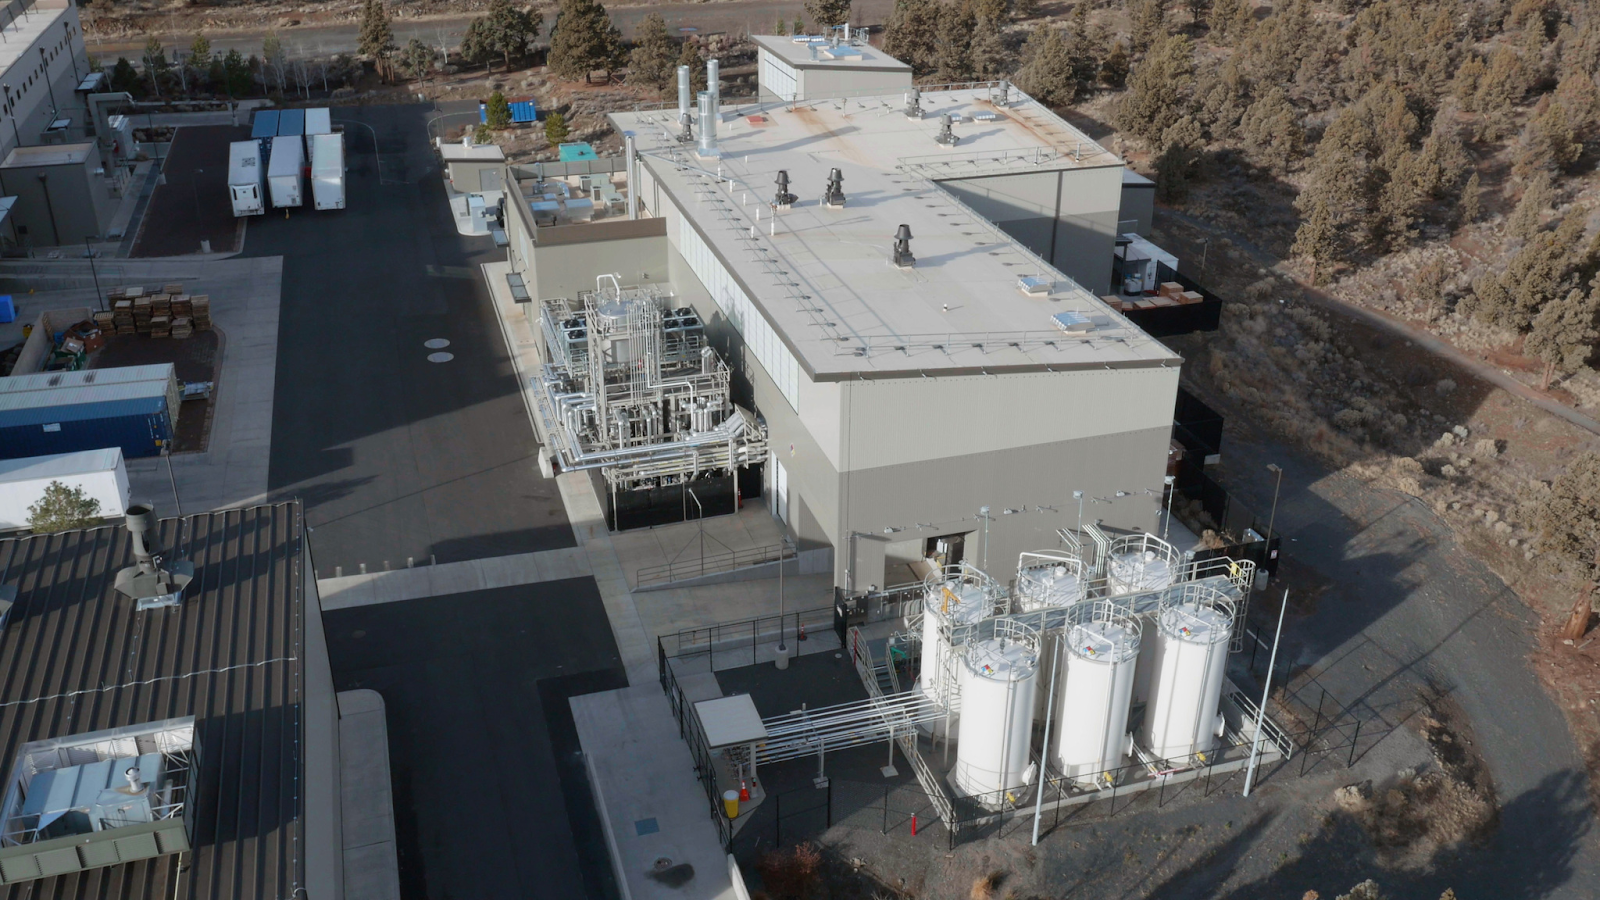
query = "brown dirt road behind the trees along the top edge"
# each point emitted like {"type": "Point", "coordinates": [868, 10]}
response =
{"type": "Point", "coordinates": [326, 41]}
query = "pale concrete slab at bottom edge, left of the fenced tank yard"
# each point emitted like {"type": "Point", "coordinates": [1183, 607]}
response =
{"type": "Point", "coordinates": [650, 803]}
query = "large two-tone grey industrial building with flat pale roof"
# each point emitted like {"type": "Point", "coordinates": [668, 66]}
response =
{"type": "Point", "coordinates": [905, 289]}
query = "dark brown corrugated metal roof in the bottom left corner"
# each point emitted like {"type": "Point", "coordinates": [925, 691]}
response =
{"type": "Point", "coordinates": [76, 657]}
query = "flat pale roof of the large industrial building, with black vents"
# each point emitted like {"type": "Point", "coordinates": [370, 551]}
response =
{"type": "Point", "coordinates": [825, 279]}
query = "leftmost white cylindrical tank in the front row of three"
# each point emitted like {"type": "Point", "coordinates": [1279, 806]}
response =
{"type": "Point", "coordinates": [998, 718]}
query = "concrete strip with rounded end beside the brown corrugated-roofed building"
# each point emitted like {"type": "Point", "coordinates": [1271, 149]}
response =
{"type": "Point", "coordinates": [372, 862]}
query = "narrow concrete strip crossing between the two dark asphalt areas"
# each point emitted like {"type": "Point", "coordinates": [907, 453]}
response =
{"type": "Point", "coordinates": [450, 579]}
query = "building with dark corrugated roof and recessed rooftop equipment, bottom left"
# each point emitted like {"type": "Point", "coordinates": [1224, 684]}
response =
{"type": "Point", "coordinates": [249, 808]}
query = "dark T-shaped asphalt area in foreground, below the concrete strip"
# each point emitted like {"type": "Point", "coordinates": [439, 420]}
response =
{"type": "Point", "coordinates": [490, 790]}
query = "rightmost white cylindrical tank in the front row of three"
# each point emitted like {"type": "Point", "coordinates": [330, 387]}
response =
{"type": "Point", "coordinates": [1182, 718]}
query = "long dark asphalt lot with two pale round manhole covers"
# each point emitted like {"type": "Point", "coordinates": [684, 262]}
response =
{"type": "Point", "coordinates": [396, 457]}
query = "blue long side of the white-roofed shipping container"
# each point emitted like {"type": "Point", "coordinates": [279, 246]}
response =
{"type": "Point", "coordinates": [138, 425]}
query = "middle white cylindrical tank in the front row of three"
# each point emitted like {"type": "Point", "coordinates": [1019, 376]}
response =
{"type": "Point", "coordinates": [1092, 721]}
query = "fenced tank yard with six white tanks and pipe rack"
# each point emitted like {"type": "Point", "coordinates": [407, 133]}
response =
{"type": "Point", "coordinates": [1103, 673]}
